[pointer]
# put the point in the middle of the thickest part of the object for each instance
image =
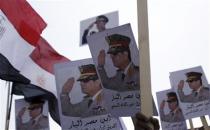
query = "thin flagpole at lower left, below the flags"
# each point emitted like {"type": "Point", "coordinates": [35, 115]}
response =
{"type": "Point", "coordinates": [8, 109]}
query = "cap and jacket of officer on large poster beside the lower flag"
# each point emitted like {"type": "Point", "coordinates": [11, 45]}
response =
{"type": "Point", "coordinates": [89, 106]}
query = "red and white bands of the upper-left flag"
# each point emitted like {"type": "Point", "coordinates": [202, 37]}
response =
{"type": "Point", "coordinates": [20, 29]}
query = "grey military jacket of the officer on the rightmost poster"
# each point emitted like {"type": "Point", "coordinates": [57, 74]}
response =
{"type": "Point", "coordinates": [201, 95]}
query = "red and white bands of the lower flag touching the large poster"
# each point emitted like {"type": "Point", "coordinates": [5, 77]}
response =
{"type": "Point", "coordinates": [39, 66]}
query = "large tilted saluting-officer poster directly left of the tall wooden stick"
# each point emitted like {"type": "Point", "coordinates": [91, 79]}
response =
{"type": "Point", "coordinates": [116, 57]}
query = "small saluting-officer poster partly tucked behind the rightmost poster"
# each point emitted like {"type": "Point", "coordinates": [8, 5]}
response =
{"type": "Point", "coordinates": [170, 112]}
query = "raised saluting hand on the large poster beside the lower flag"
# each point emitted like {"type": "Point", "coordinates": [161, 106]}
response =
{"type": "Point", "coordinates": [67, 87]}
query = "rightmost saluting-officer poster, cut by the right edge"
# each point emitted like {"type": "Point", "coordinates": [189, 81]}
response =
{"type": "Point", "coordinates": [193, 91]}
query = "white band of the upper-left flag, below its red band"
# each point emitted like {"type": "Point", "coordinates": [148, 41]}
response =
{"type": "Point", "coordinates": [12, 45]}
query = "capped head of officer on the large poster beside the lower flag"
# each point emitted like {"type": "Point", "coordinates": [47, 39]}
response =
{"type": "Point", "coordinates": [90, 83]}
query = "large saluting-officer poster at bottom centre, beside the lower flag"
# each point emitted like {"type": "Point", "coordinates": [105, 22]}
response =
{"type": "Point", "coordinates": [80, 97]}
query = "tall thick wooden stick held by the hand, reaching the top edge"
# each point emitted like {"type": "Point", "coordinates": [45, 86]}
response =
{"type": "Point", "coordinates": [143, 40]}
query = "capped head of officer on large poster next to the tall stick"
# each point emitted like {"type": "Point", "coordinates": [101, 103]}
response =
{"type": "Point", "coordinates": [119, 50]}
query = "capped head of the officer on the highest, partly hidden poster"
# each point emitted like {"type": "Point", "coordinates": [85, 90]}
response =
{"type": "Point", "coordinates": [101, 21]}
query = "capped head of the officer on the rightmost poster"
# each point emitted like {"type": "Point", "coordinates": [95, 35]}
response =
{"type": "Point", "coordinates": [194, 80]}
